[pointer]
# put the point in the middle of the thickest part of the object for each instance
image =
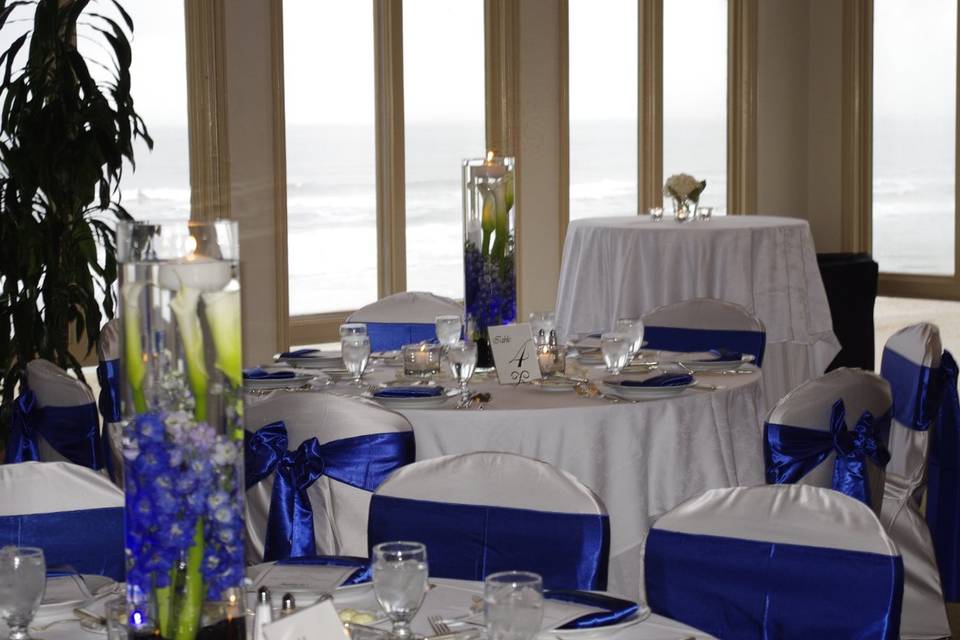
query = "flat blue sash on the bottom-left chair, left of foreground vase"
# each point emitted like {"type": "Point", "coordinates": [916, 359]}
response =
{"type": "Point", "coordinates": [89, 540]}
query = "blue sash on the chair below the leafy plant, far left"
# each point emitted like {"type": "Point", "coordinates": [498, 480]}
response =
{"type": "Point", "coordinates": [73, 432]}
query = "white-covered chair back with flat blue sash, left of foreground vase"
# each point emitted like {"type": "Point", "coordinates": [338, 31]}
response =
{"type": "Point", "coordinates": [74, 513]}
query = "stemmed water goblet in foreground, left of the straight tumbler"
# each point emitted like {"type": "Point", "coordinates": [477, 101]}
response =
{"type": "Point", "coordinates": [400, 582]}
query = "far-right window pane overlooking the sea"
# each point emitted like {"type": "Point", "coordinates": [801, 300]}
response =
{"type": "Point", "coordinates": [914, 102]}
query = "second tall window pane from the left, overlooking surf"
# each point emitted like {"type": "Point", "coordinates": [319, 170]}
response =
{"type": "Point", "coordinates": [331, 171]}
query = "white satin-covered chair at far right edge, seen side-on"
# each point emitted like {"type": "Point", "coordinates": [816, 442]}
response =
{"type": "Point", "coordinates": [924, 614]}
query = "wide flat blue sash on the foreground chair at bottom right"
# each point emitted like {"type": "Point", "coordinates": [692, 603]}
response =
{"type": "Point", "coordinates": [739, 589]}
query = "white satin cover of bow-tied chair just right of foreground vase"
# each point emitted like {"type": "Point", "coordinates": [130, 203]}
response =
{"type": "Point", "coordinates": [339, 510]}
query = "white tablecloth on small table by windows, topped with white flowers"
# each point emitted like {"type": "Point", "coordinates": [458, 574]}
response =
{"type": "Point", "coordinates": [627, 266]}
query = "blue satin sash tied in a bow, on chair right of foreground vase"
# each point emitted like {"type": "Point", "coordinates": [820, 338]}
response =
{"type": "Point", "coordinates": [362, 461]}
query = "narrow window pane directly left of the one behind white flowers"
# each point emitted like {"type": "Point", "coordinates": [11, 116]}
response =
{"type": "Point", "coordinates": [603, 107]}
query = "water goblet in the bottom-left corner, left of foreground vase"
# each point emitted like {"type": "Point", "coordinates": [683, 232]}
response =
{"type": "Point", "coordinates": [23, 579]}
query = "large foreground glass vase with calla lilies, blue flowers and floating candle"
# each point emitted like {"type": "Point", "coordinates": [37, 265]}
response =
{"type": "Point", "coordinates": [182, 404]}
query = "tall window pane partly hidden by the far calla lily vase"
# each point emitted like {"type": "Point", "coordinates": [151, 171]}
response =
{"type": "Point", "coordinates": [443, 69]}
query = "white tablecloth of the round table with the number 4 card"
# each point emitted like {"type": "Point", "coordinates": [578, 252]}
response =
{"type": "Point", "coordinates": [641, 458]}
